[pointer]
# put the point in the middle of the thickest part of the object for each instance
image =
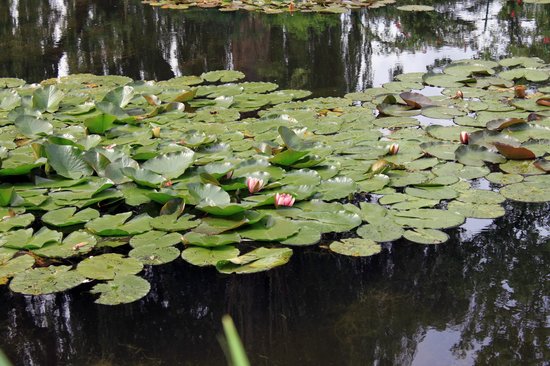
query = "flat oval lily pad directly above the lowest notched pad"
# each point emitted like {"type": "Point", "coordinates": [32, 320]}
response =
{"type": "Point", "coordinates": [107, 266]}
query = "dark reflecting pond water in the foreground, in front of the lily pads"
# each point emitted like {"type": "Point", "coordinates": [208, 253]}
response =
{"type": "Point", "coordinates": [486, 292]}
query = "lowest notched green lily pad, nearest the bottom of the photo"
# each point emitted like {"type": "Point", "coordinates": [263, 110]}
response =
{"type": "Point", "coordinates": [122, 289]}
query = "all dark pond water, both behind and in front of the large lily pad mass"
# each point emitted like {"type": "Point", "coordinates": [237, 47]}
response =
{"type": "Point", "coordinates": [482, 298]}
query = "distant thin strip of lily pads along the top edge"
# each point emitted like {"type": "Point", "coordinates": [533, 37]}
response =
{"type": "Point", "coordinates": [283, 6]}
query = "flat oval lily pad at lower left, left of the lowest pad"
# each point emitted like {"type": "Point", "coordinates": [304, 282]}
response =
{"type": "Point", "coordinates": [46, 280]}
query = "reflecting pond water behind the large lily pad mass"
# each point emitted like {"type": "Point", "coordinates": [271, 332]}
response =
{"type": "Point", "coordinates": [328, 54]}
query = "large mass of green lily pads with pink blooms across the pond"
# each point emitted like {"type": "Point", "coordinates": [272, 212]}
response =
{"type": "Point", "coordinates": [103, 175]}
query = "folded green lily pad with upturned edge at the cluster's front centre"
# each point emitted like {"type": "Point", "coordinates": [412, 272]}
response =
{"type": "Point", "coordinates": [258, 260]}
